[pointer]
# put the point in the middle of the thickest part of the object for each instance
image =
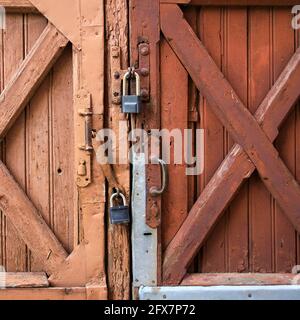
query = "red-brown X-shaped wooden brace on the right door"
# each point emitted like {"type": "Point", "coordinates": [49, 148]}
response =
{"type": "Point", "coordinates": [253, 150]}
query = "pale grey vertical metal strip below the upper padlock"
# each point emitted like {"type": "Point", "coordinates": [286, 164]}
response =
{"type": "Point", "coordinates": [144, 238]}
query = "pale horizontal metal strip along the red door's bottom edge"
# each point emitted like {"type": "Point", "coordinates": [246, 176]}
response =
{"type": "Point", "coordinates": [290, 292]}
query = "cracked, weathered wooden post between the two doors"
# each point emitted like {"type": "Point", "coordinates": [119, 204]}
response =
{"type": "Point", "coordinates": [119, 260]}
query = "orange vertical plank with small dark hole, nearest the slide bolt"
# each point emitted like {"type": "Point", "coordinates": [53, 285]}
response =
{"type": "Point", "coordinates": [62, 142]}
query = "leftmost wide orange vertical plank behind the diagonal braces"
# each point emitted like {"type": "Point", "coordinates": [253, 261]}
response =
{"type": "Point", "coordinates": [15, 248]}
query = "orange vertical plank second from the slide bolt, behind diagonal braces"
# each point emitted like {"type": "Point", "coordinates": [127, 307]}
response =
{"type": "Point", "coordinates": [37, 131]}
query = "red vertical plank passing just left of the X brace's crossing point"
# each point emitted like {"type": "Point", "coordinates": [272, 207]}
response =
{"type": "Point", "coordinates": [235, 70]}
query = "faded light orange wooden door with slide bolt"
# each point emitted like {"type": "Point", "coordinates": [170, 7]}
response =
{"type": "Point", "coordinates": [51, 220]}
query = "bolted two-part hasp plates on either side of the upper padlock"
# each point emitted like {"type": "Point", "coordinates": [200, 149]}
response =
{"type": "Point", "coordinates": [117, 74]}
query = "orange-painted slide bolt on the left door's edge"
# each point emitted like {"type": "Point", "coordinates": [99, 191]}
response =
{"type": "Point", "coordinates": [83, 118]}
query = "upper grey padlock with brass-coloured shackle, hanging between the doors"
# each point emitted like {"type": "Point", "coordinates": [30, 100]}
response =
{"type": "Point", "coordinates": [131, 103]}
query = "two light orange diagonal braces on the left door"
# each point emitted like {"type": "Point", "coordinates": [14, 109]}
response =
{"type": "Point", "coordinates": [13, 201]}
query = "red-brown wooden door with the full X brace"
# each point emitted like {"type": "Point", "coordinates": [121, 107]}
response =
{"type": "Point", "coordinates": [232, 69]}
